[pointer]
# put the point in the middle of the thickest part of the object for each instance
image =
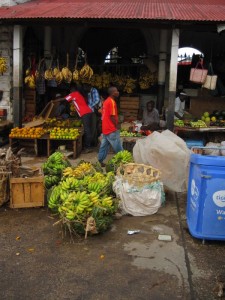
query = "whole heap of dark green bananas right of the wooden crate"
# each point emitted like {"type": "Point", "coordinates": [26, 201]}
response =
{"type": "Point", "coordinates": [53, 169]}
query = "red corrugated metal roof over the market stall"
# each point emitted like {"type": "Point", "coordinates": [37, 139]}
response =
{"type": "Point", "coordinates": [203, 10]}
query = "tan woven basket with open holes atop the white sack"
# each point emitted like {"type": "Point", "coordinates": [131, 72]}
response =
{"type": "Point", "coordinates": [138, 174]}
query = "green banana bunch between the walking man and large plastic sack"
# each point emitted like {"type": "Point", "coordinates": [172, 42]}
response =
{"type": "Point", "coordinates": [122, 157]}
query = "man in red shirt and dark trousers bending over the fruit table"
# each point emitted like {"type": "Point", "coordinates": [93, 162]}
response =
{"type": "Point", "coordinates": [84, 111]}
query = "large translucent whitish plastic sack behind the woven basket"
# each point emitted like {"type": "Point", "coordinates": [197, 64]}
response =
{"type": "Point", "coordinates": [168, 153]}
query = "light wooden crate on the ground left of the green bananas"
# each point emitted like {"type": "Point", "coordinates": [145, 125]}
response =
{"type": "Point", "coordinates": [27, 192]}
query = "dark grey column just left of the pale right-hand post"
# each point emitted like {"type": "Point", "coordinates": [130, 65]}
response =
{"type": "Point", "coordinates": [162, 69]}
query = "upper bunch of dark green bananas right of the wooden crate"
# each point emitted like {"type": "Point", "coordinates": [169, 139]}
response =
{"type": "Point", "coordinates": [55, 164]}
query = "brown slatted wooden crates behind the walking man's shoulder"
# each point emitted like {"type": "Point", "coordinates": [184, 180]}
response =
{"type": "Point", "coordinates": [129, 108]}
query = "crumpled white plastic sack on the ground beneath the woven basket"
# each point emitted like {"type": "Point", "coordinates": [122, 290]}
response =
{"type": "Point", "coordinates": [139, 201]}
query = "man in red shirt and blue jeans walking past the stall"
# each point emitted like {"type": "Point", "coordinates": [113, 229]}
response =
{"type": "Point", "coordinates": [110, 132]}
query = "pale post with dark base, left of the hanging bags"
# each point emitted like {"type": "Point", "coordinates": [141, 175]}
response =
{"type": "Point", "coordinates": [173, 78]}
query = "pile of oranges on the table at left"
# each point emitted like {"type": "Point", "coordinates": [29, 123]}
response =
{"type": "Point", "coordinates": [26, 132]}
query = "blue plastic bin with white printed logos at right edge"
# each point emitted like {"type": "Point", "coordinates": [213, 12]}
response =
{"type": "Point", "coordinates": [206, 197]}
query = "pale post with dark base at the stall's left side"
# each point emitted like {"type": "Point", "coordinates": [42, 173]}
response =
{"type": "Point", "coordinates": [17, 74]}
